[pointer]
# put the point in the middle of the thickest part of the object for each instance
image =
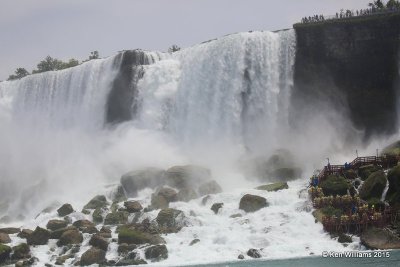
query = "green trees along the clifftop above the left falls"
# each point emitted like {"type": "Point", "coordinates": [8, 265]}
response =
{"type": "Point", "coordinates": [51, 64]}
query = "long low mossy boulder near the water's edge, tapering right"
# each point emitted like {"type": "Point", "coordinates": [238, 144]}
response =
{"type": "Point", "coordinates": [130, 235]}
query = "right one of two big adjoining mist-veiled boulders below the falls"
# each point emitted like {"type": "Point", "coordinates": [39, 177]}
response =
{"type": "Point", "coordinates": [185, 176]}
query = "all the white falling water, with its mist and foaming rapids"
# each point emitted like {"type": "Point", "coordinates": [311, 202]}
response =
{"type": "Point", "coordinates": [212, 104]}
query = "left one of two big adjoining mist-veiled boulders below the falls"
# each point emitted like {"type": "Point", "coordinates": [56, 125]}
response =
{"type": "Point", "coordinates": [134, 181]}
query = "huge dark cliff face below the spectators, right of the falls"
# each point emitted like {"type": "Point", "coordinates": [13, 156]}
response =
{"type": "Point", "coordinates": [352, 65]}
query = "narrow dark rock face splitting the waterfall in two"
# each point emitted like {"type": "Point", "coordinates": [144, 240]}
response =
{"type": "Point", "coordinates": [121, 103]}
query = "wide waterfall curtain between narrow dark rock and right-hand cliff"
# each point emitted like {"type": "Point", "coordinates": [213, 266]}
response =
{"type": "Point", "coordinates": [234, 88]}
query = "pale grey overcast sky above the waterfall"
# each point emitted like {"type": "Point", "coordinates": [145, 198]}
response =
{"type": "Point", "coordinates": [32, 29]}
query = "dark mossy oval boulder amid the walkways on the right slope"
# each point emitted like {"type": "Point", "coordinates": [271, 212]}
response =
{"type": "Point", "coordinates": [374, 185]}
